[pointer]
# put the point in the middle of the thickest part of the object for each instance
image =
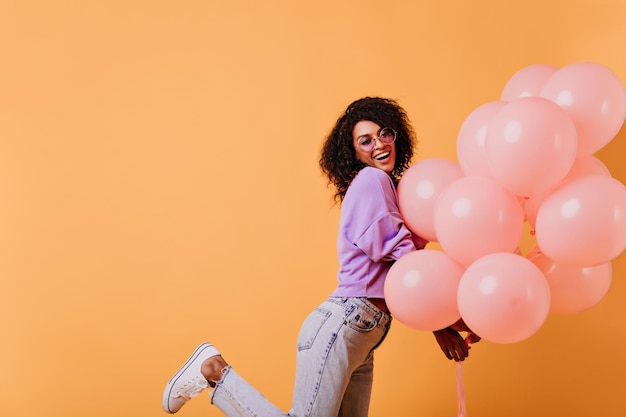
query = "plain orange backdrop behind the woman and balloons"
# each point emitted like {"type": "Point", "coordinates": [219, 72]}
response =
{"type": "Point", "coordinates": [159, 186]}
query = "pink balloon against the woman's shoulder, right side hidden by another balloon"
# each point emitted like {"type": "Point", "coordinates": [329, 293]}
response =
{"type": "Point", "coordinates": [418, 191]}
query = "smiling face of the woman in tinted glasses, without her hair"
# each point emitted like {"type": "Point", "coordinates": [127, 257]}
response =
{"type": "Point", "coordinates": [382, 156]}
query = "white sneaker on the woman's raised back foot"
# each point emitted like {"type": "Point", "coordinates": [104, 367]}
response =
{"type": "Point", "coordinates": [188, 381]}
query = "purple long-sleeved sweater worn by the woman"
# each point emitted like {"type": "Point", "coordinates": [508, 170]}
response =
{"type": "Point", "coordinates": [372, 235]}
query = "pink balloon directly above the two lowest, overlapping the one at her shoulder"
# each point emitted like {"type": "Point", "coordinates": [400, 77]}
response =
{"type": "Point", "coordinates": [474, 216]}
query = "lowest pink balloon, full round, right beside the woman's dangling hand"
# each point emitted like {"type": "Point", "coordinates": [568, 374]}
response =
{"type": "Point", "coordinates": [504, 298]}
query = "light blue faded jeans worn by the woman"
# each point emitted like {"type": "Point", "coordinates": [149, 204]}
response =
{"type": "Point", "coordinates": [334, 365]}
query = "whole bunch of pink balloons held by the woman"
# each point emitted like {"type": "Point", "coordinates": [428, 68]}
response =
{"type": "Point", "coordinates": [526, 158]}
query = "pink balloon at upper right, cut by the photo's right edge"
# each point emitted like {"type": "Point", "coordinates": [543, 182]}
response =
{"type": "Point", "coordinates": [593, 96]}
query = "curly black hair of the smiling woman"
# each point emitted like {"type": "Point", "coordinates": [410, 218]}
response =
{"type": "Point", "coordinates": [338, 159]}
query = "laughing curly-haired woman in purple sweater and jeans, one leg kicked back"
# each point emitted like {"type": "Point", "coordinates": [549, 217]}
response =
{"type": "Point", "coordinates": [365, 154]}
